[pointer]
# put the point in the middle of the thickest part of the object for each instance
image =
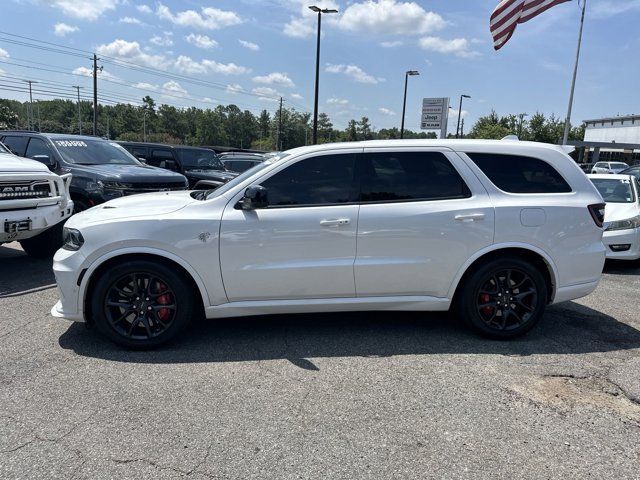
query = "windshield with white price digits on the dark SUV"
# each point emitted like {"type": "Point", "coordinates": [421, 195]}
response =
{"type": "Point", "coordinates": [93, 152]}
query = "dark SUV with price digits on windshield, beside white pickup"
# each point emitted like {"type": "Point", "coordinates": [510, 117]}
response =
{"type": "Point", "coordinates": [102, 170]}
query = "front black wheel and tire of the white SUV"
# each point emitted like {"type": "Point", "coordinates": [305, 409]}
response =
{"type": "Point", "coordinates": [153, 314]}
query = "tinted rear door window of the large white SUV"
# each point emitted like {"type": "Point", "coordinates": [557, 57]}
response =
{"type": "Point", "coordinates": [409, 176]}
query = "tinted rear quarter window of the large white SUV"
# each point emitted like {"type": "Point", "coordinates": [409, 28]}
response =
{"type": "Point", "coordinates": [518, 174]}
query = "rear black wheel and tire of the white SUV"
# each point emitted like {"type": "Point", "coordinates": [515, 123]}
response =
{"type": "Point", "coordinates": [481, 305]}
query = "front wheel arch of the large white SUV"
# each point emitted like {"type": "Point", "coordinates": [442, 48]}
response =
{"type": "Point", "coordinates": [103, 263]}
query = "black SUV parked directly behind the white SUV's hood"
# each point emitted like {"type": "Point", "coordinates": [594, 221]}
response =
{"type": "Point", "coordinates": [201, 166]}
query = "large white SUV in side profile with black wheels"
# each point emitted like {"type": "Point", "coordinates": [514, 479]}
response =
{"type": "Point", "coordinates": [496, 230]}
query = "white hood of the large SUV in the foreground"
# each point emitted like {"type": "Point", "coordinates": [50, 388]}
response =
{"type": "Point", "coordinates": [144, 205]}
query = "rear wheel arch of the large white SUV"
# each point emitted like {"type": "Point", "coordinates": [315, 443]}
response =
{"type": "Point", "coordinates": [536, 256]}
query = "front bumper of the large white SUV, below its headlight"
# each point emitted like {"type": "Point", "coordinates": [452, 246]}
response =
{"type": "Point", "coordinates": [67, 268]}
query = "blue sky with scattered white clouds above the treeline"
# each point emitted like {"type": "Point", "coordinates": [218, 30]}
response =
{"type": "Point", "coordinates": [250, 52]}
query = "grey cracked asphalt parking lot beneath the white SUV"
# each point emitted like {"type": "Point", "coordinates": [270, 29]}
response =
{"type": "Point", "coordinates": [385, 395]}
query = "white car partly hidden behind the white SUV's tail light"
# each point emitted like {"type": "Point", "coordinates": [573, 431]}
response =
{"type": "Point", "coordinates": [621, 216]}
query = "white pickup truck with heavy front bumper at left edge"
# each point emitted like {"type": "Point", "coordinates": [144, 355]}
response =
{"type": "Point", "coordinates": [34, 204]}
